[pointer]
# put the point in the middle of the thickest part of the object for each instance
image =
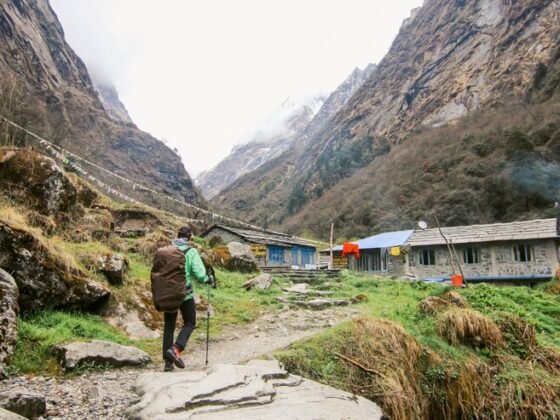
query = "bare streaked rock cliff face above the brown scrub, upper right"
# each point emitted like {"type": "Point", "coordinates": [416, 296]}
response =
{"type": "Point", "coordinates": [449, 59]}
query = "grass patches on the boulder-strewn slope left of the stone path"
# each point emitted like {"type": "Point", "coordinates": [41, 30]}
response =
{"type": "Point", "coordinates": [39, 333]}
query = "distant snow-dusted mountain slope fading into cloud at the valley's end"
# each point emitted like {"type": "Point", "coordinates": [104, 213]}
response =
{"type": "Point", "coordinates": [285, 126]}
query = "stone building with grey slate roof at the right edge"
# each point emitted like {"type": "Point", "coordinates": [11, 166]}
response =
{"type": "Point", "coordinates": [524, 251]}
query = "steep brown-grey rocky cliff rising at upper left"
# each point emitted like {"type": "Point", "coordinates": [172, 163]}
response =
{"type": "Point", "coordinates": [59, 101]}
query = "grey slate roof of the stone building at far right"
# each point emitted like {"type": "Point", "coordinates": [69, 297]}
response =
{"type": "Point", "coordinates": [532, 229]}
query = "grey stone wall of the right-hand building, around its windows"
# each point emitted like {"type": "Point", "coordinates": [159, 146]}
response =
{"type": "Point", "coordinates": [495, 259]}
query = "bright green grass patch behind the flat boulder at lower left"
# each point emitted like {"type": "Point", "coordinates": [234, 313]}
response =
{"type": "Point", "coordinates": [39, 334]}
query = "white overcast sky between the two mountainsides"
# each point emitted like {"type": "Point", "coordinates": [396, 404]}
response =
{"type": "Point", "coordinates": [205, 75]}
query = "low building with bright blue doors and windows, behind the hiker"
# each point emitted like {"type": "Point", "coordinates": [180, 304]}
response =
{"type": "Point", "coordinates": [271, 249]}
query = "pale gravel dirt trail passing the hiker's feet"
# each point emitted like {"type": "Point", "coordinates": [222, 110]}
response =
{"type": "Point", "coordinates": [108, 394]}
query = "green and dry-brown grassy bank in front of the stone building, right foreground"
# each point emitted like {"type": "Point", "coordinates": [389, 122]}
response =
{"type": "Point", "coordinates": [438, 379]}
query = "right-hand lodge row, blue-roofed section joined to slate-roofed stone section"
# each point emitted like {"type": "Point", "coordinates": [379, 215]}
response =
{"type": "Point", "coordinates": [526, 251]}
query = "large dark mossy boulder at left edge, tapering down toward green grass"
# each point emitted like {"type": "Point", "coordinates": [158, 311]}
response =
{"type": "Point", "coordinates": [45, 277]}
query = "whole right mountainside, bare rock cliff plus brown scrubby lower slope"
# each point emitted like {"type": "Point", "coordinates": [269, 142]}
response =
{"type": "Point", "coordinates": [449, 60]}
